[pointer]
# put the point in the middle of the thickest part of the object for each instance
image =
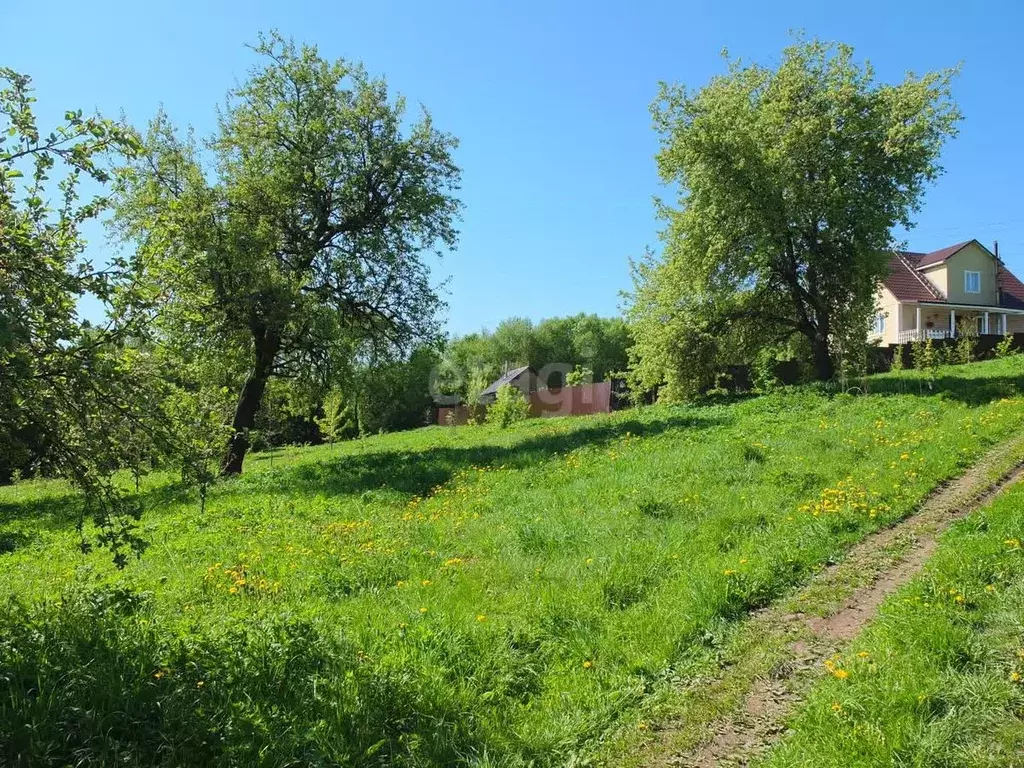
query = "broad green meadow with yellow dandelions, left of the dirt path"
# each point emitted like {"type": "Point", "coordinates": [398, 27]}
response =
{"type": "Point", "coordinates": [456, 596]}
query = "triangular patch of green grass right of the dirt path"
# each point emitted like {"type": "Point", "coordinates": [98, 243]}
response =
{"type": "Point", "coordinates": [937, 679]}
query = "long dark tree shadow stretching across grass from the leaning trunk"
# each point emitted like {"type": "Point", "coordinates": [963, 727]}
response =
{"type": "Point", "coordinates": [416, 473]}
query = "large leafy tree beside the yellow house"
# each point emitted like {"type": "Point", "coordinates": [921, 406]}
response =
{"type": "Point", "coordinates": [791, 182]}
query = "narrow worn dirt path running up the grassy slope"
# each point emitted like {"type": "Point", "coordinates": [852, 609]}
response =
{"type": "Point", "coordinates": [824, 617]}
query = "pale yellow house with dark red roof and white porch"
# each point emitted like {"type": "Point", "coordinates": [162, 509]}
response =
{"type": "Point", "coordinates": [937, 295]}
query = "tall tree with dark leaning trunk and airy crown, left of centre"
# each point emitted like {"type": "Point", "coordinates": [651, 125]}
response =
{"type": "Point", "coordinates": [300, 236]}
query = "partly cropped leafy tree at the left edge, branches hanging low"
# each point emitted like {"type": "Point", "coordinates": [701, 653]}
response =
{"type": "Point", "coordinates": [77, 401]}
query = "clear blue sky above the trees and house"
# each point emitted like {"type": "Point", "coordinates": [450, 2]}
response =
{"type": "Point", "coordinates": [550, 102]}
